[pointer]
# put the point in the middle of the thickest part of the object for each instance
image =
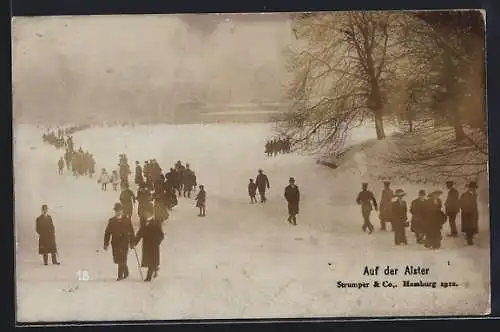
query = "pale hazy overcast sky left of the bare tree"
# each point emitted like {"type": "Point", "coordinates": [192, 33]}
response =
{"type": "Point", "coordinates": [119, 64]}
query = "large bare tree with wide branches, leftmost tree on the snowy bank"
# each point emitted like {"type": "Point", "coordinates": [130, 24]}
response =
{"type": "Point", "coordinates": [343, 69]}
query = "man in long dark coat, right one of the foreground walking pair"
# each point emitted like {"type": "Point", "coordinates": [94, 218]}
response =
{"type": "Point", "coordinates": [152, 236]}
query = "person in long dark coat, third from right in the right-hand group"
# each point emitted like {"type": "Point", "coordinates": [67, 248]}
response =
{"type": "Point", "coordinates": [435, 220]}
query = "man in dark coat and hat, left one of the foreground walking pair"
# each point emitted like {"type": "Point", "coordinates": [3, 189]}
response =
{"type": "Point", "coordinates": [121, 234]}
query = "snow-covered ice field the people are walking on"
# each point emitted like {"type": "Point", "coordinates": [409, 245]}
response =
{"type": "Point", "coordinates": [241, 260]}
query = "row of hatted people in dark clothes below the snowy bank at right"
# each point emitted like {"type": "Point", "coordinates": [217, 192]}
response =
{"type": "Point", "coordinates": [428, 216]}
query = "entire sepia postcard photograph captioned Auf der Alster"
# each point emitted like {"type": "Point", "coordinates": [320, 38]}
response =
{"type": "Point", "coordinates": [250, 166]}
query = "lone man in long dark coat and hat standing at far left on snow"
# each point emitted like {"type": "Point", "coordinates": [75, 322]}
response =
{"type": "Point", "coordinates": [47, 236]}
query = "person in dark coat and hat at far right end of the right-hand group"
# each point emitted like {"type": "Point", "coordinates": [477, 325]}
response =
{"type": "Point", "coordinates": [469, 213]}
